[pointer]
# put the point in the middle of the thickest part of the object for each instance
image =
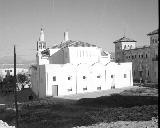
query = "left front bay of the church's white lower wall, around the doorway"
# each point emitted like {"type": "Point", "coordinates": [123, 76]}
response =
{"type": "Point", "coordinates": [61, 72]}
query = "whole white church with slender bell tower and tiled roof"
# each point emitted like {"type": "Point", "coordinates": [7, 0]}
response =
{"type": "Point", "coordinates": [73, 67]}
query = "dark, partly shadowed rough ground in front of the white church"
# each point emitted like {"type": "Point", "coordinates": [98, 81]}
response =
{"type": "Point", "coordinates": [135, 107]}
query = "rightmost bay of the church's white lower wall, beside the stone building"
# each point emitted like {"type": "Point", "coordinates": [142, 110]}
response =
{"type": "Point", "coordinates": [118, 71]}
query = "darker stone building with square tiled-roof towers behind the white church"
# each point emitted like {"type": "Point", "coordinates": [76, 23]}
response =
{"type": "Point", "coordinates": [144, 58]}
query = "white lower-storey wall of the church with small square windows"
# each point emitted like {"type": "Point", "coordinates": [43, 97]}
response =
{"type": "Point", "coordinates": [77, 83]}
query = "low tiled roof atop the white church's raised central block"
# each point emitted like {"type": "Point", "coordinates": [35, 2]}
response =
{"type": "Point", "coordinates": [71, 43]}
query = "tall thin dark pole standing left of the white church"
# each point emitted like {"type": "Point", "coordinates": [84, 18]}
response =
{"type": "Point", "coordinates": [15, 90]}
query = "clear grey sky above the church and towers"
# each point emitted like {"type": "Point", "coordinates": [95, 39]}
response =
{"type": "Point", "coordinates": [98, 22]}
